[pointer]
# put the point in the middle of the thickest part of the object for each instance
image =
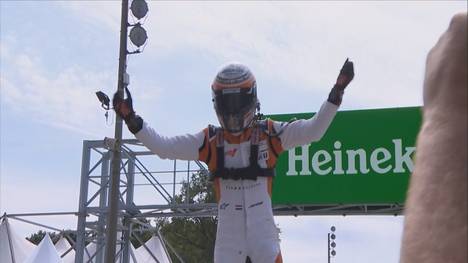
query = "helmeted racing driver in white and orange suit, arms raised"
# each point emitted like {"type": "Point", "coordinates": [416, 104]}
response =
{"type": "Point", "coordinates": [241, 155]}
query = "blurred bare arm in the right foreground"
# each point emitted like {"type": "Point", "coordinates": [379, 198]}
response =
{"type": "Point", "coordinates": [436, 209]}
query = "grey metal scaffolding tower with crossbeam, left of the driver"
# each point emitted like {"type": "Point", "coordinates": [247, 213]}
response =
{"type": "Point", "coordinates": [94, 189]}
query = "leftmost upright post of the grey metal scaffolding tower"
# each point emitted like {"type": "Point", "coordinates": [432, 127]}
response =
{"type": "Point", "coordinates": [82, 212]}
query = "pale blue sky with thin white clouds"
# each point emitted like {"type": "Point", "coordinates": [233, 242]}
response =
{"type": "Point", "coordinates": [56, 54]}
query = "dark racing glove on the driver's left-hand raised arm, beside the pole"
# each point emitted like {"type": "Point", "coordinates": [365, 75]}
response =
{"type": "Point", "coordinates": [124, 108]}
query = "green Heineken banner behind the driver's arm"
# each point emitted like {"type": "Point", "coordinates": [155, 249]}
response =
{"type": "Point", "coordinates": [366, 157]}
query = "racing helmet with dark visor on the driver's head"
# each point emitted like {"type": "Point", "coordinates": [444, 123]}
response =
{"type": "Point", "coordinates": [234, 91]}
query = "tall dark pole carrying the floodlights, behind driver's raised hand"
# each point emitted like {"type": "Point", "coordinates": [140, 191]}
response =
{"type": "Point", "coordinates": [115, 180]}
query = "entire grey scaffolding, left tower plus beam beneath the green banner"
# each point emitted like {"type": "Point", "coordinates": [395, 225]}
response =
{"type": "Point", "coordinates": [95, 181]}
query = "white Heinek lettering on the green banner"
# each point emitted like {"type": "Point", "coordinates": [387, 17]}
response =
{"type": "Point", "coordinates": [324, 163]}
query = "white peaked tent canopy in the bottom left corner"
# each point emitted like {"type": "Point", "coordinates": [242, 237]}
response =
{"type": "Point", "coordinates": [10, 242]}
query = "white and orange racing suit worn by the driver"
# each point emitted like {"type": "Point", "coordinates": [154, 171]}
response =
{"type": "Point", "coordinates": [245, 219]}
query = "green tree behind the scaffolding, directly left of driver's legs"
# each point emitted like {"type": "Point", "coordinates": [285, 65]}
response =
{"type": "Point", "coordinates": [192, 238]}
